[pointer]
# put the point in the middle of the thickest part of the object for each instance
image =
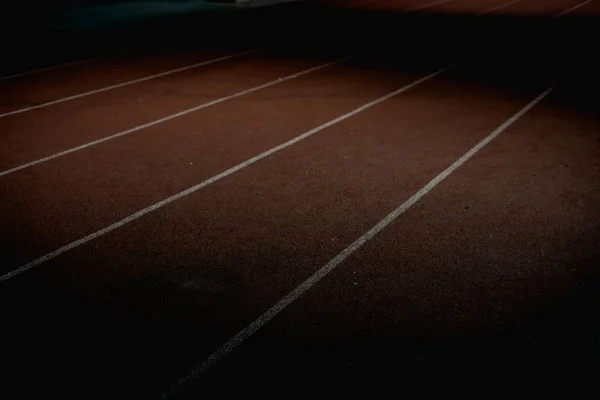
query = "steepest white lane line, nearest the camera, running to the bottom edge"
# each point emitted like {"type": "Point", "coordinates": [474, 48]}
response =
{"type": "Point", "coordinates": [244, 334]}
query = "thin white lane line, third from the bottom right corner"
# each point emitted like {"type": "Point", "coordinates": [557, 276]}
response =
{"type": "Point", "coordinates": [168, 118]}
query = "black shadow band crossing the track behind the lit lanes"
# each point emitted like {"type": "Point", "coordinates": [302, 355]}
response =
{"type": "Point", "coordinates": [562, 49]}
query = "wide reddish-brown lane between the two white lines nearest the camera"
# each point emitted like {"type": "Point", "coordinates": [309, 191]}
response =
{"type": "Point", "coordinates": [223, 255]}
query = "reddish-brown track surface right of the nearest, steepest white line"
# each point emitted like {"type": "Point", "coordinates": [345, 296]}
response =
{"type": "Point", "coordinates": [495, 271]}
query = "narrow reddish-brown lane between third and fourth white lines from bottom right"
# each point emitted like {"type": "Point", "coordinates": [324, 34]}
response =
{"type": "Point", "coordinates": [75, 123]}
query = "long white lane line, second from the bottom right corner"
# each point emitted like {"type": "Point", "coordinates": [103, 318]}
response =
{"type": "Point", "coordinates": [209, 181]}
